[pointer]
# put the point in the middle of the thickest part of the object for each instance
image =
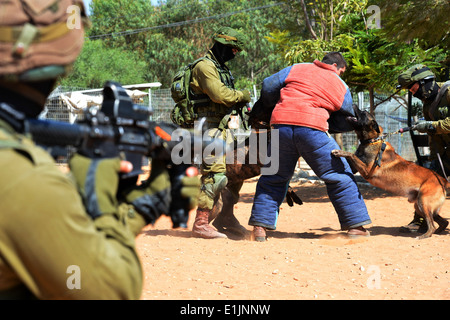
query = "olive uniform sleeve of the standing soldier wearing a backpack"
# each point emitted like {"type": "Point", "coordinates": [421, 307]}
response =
{"type": "Point", "coordinates": [206, 80]}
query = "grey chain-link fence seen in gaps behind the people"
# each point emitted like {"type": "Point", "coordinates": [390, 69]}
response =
{"type": "Point", "coordinates": [65, 104]}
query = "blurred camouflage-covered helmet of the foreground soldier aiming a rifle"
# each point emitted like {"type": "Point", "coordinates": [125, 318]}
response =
{"type": "Point", "coordinates": [39, 39]}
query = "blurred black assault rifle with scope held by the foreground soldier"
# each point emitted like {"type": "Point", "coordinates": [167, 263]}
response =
{"type": "Point", "coordinates": [120, 127]}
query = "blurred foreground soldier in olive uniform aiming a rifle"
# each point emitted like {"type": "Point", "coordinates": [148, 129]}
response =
{"type": "Point", "coordinates": [51, 247]}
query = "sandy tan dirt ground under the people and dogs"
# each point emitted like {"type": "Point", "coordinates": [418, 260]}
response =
{"type": "Point", "coordinates": [307, 257]}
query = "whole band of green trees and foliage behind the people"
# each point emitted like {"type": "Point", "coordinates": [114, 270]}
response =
{"type": "Point", "coordinates": [137, 42]}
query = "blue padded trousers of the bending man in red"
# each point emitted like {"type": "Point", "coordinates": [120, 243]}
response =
{"type": "Point", "coordinates": [314, 146]}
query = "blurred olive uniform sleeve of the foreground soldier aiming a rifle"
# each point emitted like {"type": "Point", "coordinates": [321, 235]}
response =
{"type": "Point", "coordinates": [60, 252]}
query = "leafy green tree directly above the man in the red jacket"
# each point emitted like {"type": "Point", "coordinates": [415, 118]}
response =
{"type": "Point", "coordinates": [374, 59]}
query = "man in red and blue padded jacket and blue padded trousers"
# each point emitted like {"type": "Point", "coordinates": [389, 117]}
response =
{"type": "Point", "coordinates": [305, 97]}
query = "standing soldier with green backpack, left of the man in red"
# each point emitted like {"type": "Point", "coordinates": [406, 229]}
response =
{"type": "Point", "coordinates": [212, 80]}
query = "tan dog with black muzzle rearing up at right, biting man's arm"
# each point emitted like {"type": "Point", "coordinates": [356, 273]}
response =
{"type": "Point", "coordinates": [379, 164]}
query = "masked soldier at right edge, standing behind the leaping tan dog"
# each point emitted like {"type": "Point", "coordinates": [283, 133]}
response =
{"type": "Point", "coordinates": [435, 96]}
